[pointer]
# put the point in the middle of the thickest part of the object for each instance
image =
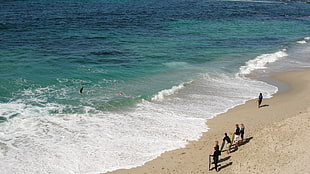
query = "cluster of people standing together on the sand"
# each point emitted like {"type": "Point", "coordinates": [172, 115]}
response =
{"type": "Point", "coordinates": [236, 139]}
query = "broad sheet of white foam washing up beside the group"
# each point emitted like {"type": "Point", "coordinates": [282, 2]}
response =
{"type": "Point", "coordinates": [91, 143]}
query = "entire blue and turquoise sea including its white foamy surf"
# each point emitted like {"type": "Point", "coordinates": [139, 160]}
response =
{"type": "Point", "coordinates": [177, 63]}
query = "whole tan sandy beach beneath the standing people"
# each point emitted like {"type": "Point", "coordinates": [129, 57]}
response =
{"type": "Point", "coordinates": [277, 137]}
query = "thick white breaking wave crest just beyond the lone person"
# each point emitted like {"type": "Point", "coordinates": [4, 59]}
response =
{"type": "Point", "coordinates": [260, 62]}
